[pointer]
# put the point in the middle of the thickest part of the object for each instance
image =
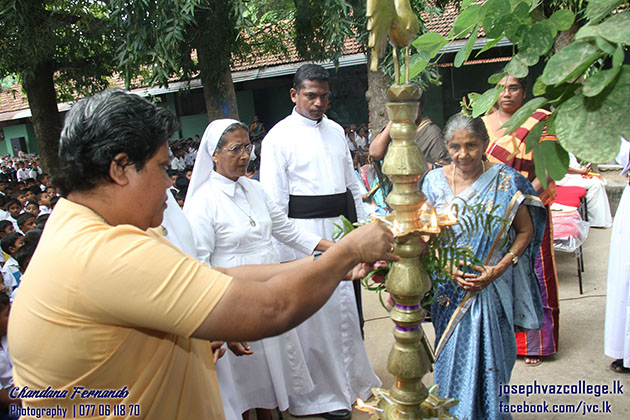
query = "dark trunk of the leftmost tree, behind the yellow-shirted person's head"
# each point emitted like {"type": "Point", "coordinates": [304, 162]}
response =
{"type": "Point", "coordinates": [42, 100]}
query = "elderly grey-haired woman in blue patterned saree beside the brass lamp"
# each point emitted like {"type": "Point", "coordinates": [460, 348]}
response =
{"type": "Point", "coordinates": [476, 312]}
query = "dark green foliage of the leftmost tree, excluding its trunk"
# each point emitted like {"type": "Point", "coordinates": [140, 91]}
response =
{"type": "Point", "coordinates": [74, 36]}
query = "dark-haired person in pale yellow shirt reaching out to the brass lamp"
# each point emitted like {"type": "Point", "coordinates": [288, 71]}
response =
{"type": "Point", "coordinates": [113, 320]}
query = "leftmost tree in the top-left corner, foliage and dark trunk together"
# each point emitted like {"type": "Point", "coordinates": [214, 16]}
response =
{"type": "Point", "coordinates": [58, 49]}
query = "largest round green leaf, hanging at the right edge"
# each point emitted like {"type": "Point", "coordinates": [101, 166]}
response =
{"type": "Point", "coordinates": [590, 127]}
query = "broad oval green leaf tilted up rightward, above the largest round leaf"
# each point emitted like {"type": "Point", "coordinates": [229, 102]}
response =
{"type": "Point", "coordinates": [570, 62]}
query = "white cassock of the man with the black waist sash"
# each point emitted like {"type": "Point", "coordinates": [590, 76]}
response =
{"type": "Point", "coordinates": [305, 157]}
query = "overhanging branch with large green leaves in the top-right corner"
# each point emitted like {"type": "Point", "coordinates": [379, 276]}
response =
{"type": "Point", "coordinates": [586, 84]}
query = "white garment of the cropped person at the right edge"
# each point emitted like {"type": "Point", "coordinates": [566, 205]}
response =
{"type": "Point", "coordinates": [617, 326]}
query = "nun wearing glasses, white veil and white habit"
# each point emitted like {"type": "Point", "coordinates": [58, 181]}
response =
{"type": "Point", "coordinates": [233, 222]}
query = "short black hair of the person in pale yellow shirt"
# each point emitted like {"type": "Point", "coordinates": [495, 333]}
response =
{"type": "Point", "coordinates": [99, 127]}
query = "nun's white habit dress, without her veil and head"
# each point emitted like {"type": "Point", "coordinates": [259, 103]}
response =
{"type": "Point", "coordinates": [219, 217]}
